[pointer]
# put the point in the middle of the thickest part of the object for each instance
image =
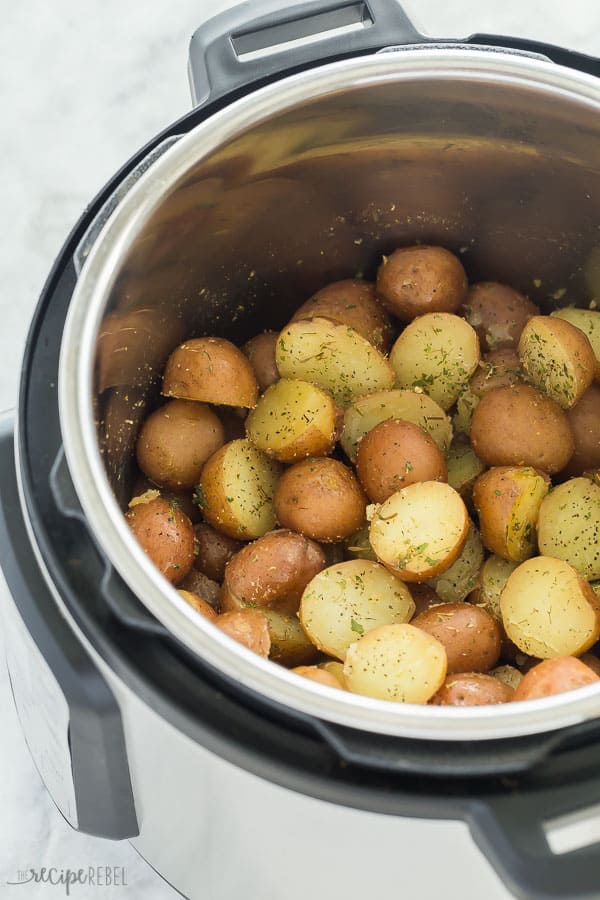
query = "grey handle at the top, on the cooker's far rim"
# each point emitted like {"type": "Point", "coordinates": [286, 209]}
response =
{"type": "Point", "coordinates": [257, 40]}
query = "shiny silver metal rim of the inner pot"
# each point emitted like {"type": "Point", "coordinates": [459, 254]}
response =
{"type": "Point", "coordinates": [77, 420]}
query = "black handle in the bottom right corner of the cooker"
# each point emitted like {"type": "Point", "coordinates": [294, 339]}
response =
{"type": "Point", "coordinates": [545, 841]}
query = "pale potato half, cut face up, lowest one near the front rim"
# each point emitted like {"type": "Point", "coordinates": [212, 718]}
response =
{"type": "Point", "coordinates": [396, 662]}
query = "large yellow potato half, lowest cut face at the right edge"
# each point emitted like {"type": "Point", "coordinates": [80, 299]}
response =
{"type": "Point", "coordinates": [548, 610]}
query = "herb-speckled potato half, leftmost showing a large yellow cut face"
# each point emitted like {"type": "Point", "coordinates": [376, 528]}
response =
{"type": "Point", "coordinates": [236, 491]}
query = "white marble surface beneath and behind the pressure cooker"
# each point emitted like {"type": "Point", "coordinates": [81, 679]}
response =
{"type": "Point", "coordinates": [82, 86]}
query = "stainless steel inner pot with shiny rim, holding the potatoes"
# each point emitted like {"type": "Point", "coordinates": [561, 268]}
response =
{"type": "Point", "coordinates": [492, 154]}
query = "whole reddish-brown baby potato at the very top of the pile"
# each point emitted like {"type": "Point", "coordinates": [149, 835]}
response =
{"type": "Point", "coordinates": [421, 279]}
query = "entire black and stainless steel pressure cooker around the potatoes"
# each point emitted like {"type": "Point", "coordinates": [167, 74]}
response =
{"type": "Point", "coordinates": [324, 134]}
